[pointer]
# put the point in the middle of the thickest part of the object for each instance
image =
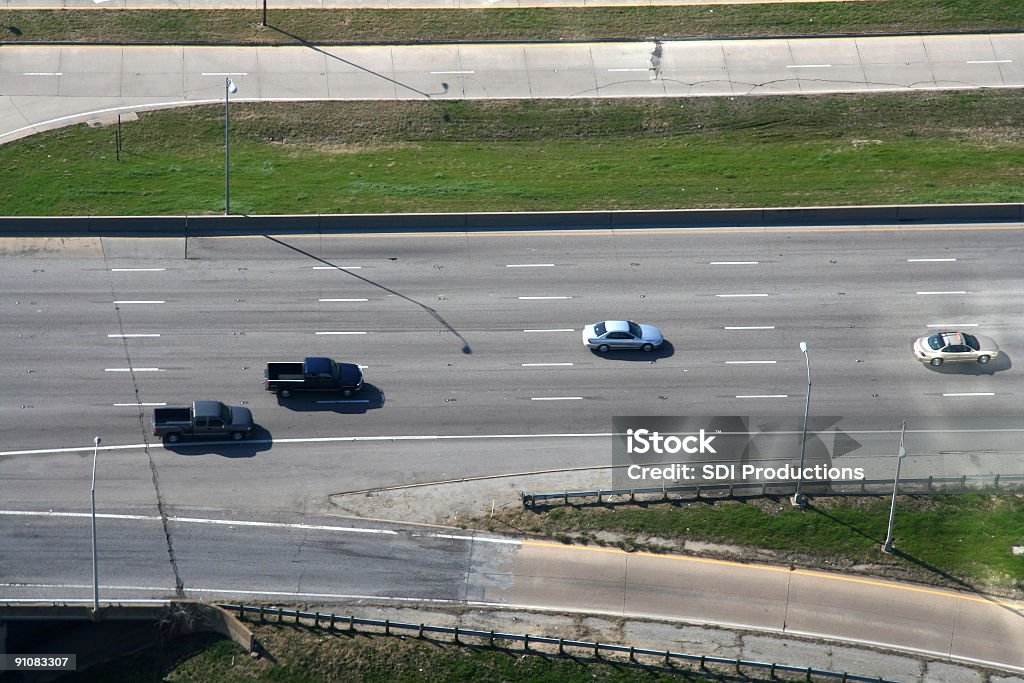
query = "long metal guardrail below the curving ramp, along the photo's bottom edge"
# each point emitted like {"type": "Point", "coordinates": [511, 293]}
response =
{"type": "Point", "coordinates": [332, 622]}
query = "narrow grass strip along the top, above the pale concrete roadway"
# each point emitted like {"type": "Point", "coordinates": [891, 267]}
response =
{"type": "Point", "coordinates": [348, 27]}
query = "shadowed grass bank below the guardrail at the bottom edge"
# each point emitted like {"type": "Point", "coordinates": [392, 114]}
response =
{"type": "Point", "coordinates": [298, 655]}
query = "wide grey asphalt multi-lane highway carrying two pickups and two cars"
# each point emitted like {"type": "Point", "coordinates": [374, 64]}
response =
{"type": "Point", "coordinates": [471, 374]}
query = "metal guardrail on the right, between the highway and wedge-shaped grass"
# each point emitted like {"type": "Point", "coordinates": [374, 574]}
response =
{"type": "Point", "coordinates": [930, 486]}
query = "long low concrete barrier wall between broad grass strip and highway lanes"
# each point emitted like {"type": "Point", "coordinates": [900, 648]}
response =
{"type": "Point", "coordinates": [767, 218]}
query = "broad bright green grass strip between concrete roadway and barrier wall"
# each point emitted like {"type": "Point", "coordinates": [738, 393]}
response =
{"type": "Point", "coordinates": [539, 155]}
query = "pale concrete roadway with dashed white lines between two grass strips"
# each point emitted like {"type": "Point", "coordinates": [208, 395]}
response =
{"type": "Point", "coordinates": [44, 89]}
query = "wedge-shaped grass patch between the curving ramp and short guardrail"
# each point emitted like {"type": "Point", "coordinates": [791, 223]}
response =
{"type": "Point", "coordinates": [949, 540]}
